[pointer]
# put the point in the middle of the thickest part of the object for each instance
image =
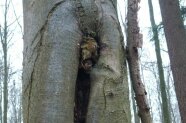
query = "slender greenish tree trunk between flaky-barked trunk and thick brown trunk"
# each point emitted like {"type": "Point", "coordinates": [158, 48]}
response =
{"type": "Point", "coordinates": [165, 106]}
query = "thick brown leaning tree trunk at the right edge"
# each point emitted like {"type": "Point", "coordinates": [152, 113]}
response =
{"type": "Point", "coordinates": [176, 41]}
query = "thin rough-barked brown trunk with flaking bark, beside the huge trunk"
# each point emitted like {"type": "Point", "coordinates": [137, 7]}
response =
{"type": "Point", "coordinates": [134, 41]}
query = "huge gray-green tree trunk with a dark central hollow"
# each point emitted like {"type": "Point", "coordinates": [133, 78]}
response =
{"type": "Point", "coordinates": [51, 59]}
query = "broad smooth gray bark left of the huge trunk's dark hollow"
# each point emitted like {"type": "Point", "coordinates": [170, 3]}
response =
{"type": "Point", "coordinates": [50, 61]}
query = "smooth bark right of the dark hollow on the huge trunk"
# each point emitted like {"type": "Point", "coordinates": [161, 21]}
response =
{"type": "Point", "coordinates": [109, 101]}
